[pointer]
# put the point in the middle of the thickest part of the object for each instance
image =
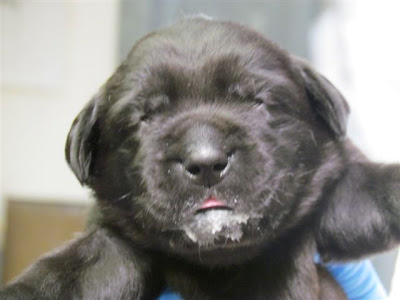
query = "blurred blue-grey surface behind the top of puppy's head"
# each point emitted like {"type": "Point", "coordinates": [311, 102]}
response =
{"type": "Point", "coordinates": [286, 22]}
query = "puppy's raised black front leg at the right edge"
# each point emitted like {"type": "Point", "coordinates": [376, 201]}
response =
{"type": "Point", "coordinates": [361, 213]}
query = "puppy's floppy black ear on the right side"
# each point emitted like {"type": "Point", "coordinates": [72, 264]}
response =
{"type": "Point", "coordinates": [325, 99]}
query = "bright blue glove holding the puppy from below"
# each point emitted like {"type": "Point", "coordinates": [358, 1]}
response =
{"type": "Point", "coordinates": [359, 280]}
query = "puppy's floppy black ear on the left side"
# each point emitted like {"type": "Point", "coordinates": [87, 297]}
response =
{"type": "Point", "coordinates": [82, 140]}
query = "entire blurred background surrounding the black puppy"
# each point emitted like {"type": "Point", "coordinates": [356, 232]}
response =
{"type": "Point", "coordinates": [55, 54]}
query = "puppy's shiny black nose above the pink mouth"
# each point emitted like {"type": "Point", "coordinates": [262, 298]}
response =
{"type": "Point", "coordinates": [206, 165]}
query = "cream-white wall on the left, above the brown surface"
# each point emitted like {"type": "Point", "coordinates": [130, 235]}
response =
{"type": "Point", "coordinates": [55, 56]}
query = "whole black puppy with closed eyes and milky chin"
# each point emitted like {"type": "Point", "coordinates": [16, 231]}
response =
{"type": "Point", "coordinates": [220, 166]}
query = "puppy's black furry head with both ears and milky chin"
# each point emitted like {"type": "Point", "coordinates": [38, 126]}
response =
{"type": "Point", "coordinates": [208, 139]}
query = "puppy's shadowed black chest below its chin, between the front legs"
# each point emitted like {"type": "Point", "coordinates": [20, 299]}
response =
{"type": "Point", "coordinates": [285, 271]}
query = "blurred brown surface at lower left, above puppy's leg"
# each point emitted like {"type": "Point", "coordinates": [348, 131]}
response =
{"type": "Point", "coordinates": [36, 228]}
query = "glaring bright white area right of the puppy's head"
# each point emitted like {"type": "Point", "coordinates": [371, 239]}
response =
{"type": "Point", "coordinates": [356, 45]}
